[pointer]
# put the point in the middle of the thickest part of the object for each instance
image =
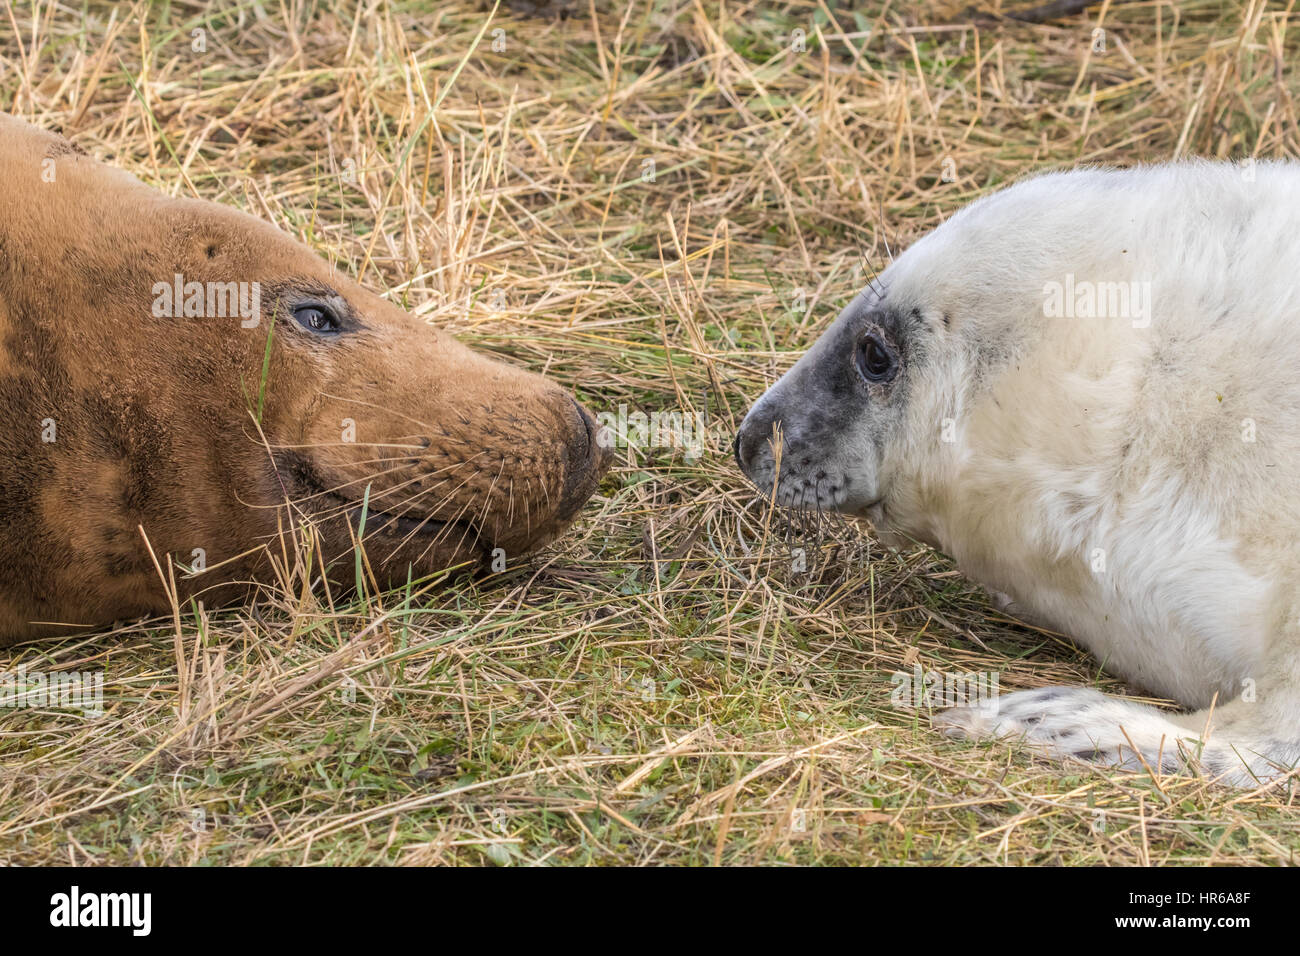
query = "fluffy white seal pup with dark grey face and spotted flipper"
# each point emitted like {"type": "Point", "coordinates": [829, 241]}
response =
{"type": "Point", "coordinates": [1086, 390]}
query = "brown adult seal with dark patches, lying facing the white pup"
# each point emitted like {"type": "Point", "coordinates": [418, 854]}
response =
{"type": "Point", "coordinates": [183, 367]}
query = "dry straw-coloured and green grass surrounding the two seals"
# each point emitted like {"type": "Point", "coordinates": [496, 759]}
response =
{"type": "Point", "coordinates": [661, 686]}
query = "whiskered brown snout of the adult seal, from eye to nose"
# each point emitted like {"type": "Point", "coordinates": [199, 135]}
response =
{"type": "Point", "coordinates": [456, 457]}
